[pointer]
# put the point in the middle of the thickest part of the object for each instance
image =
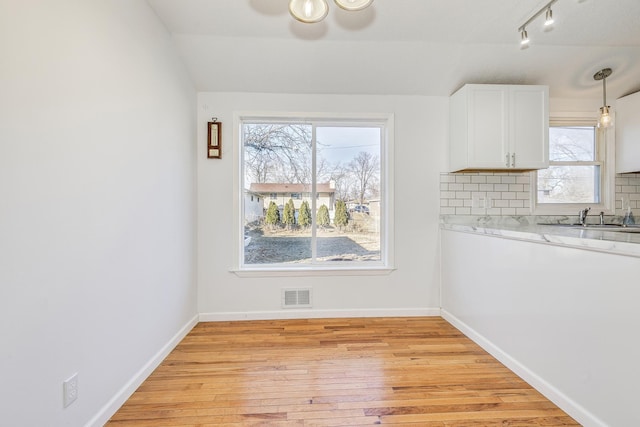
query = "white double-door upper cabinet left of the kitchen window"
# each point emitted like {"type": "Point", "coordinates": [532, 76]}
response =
{"type": "Point", "coordinates": [499, 127]}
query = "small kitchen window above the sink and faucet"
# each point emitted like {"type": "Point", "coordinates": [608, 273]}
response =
{"type": "Point", "coordinates": [577, 176]}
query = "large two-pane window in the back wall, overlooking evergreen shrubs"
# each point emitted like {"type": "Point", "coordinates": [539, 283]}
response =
{"type": "Point", "coordinates": [324, 186]}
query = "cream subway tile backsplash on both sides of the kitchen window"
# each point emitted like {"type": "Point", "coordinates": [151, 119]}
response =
{"type": "Point", "coordinates": [508, 194]}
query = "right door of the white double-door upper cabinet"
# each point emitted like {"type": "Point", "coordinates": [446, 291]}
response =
{"type": "Point", "coordinates": [529, 130]}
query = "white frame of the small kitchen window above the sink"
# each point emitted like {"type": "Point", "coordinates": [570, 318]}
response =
{"type": "Point", "coordinates": [604, 153]}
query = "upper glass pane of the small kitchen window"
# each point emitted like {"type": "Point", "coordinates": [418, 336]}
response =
{"type": "Point", "coordinates": [568, 144]}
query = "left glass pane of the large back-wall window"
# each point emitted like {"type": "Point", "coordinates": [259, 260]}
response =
{"type": "Point", "coordinates": [277, 166]}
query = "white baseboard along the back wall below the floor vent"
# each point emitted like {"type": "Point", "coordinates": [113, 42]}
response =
{"type": "Point", "coordinates": [317, 314]}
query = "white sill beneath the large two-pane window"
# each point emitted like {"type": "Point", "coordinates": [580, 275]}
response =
{"type": "Point", "coordinates": [311, 272]}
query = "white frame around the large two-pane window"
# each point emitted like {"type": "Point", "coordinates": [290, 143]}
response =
{"type": "Point", "coordinates": [387, 264]}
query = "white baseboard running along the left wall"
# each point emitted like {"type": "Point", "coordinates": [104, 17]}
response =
{"type": "Point", "coordinates": [127, 390]}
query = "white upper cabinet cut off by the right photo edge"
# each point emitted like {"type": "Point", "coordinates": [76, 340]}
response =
{"type": "Point", "coordinates": [628, 133]}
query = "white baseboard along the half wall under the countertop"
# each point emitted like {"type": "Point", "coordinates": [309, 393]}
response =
{"type": "Point", "coordinates": [578, 412]}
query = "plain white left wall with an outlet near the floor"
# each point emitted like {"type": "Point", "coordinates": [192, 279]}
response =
{"type": "Point", "coordinates": [97, 203]}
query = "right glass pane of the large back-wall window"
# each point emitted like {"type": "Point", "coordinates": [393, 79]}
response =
{"type": "Point", "coordinates": [348, 160]}
